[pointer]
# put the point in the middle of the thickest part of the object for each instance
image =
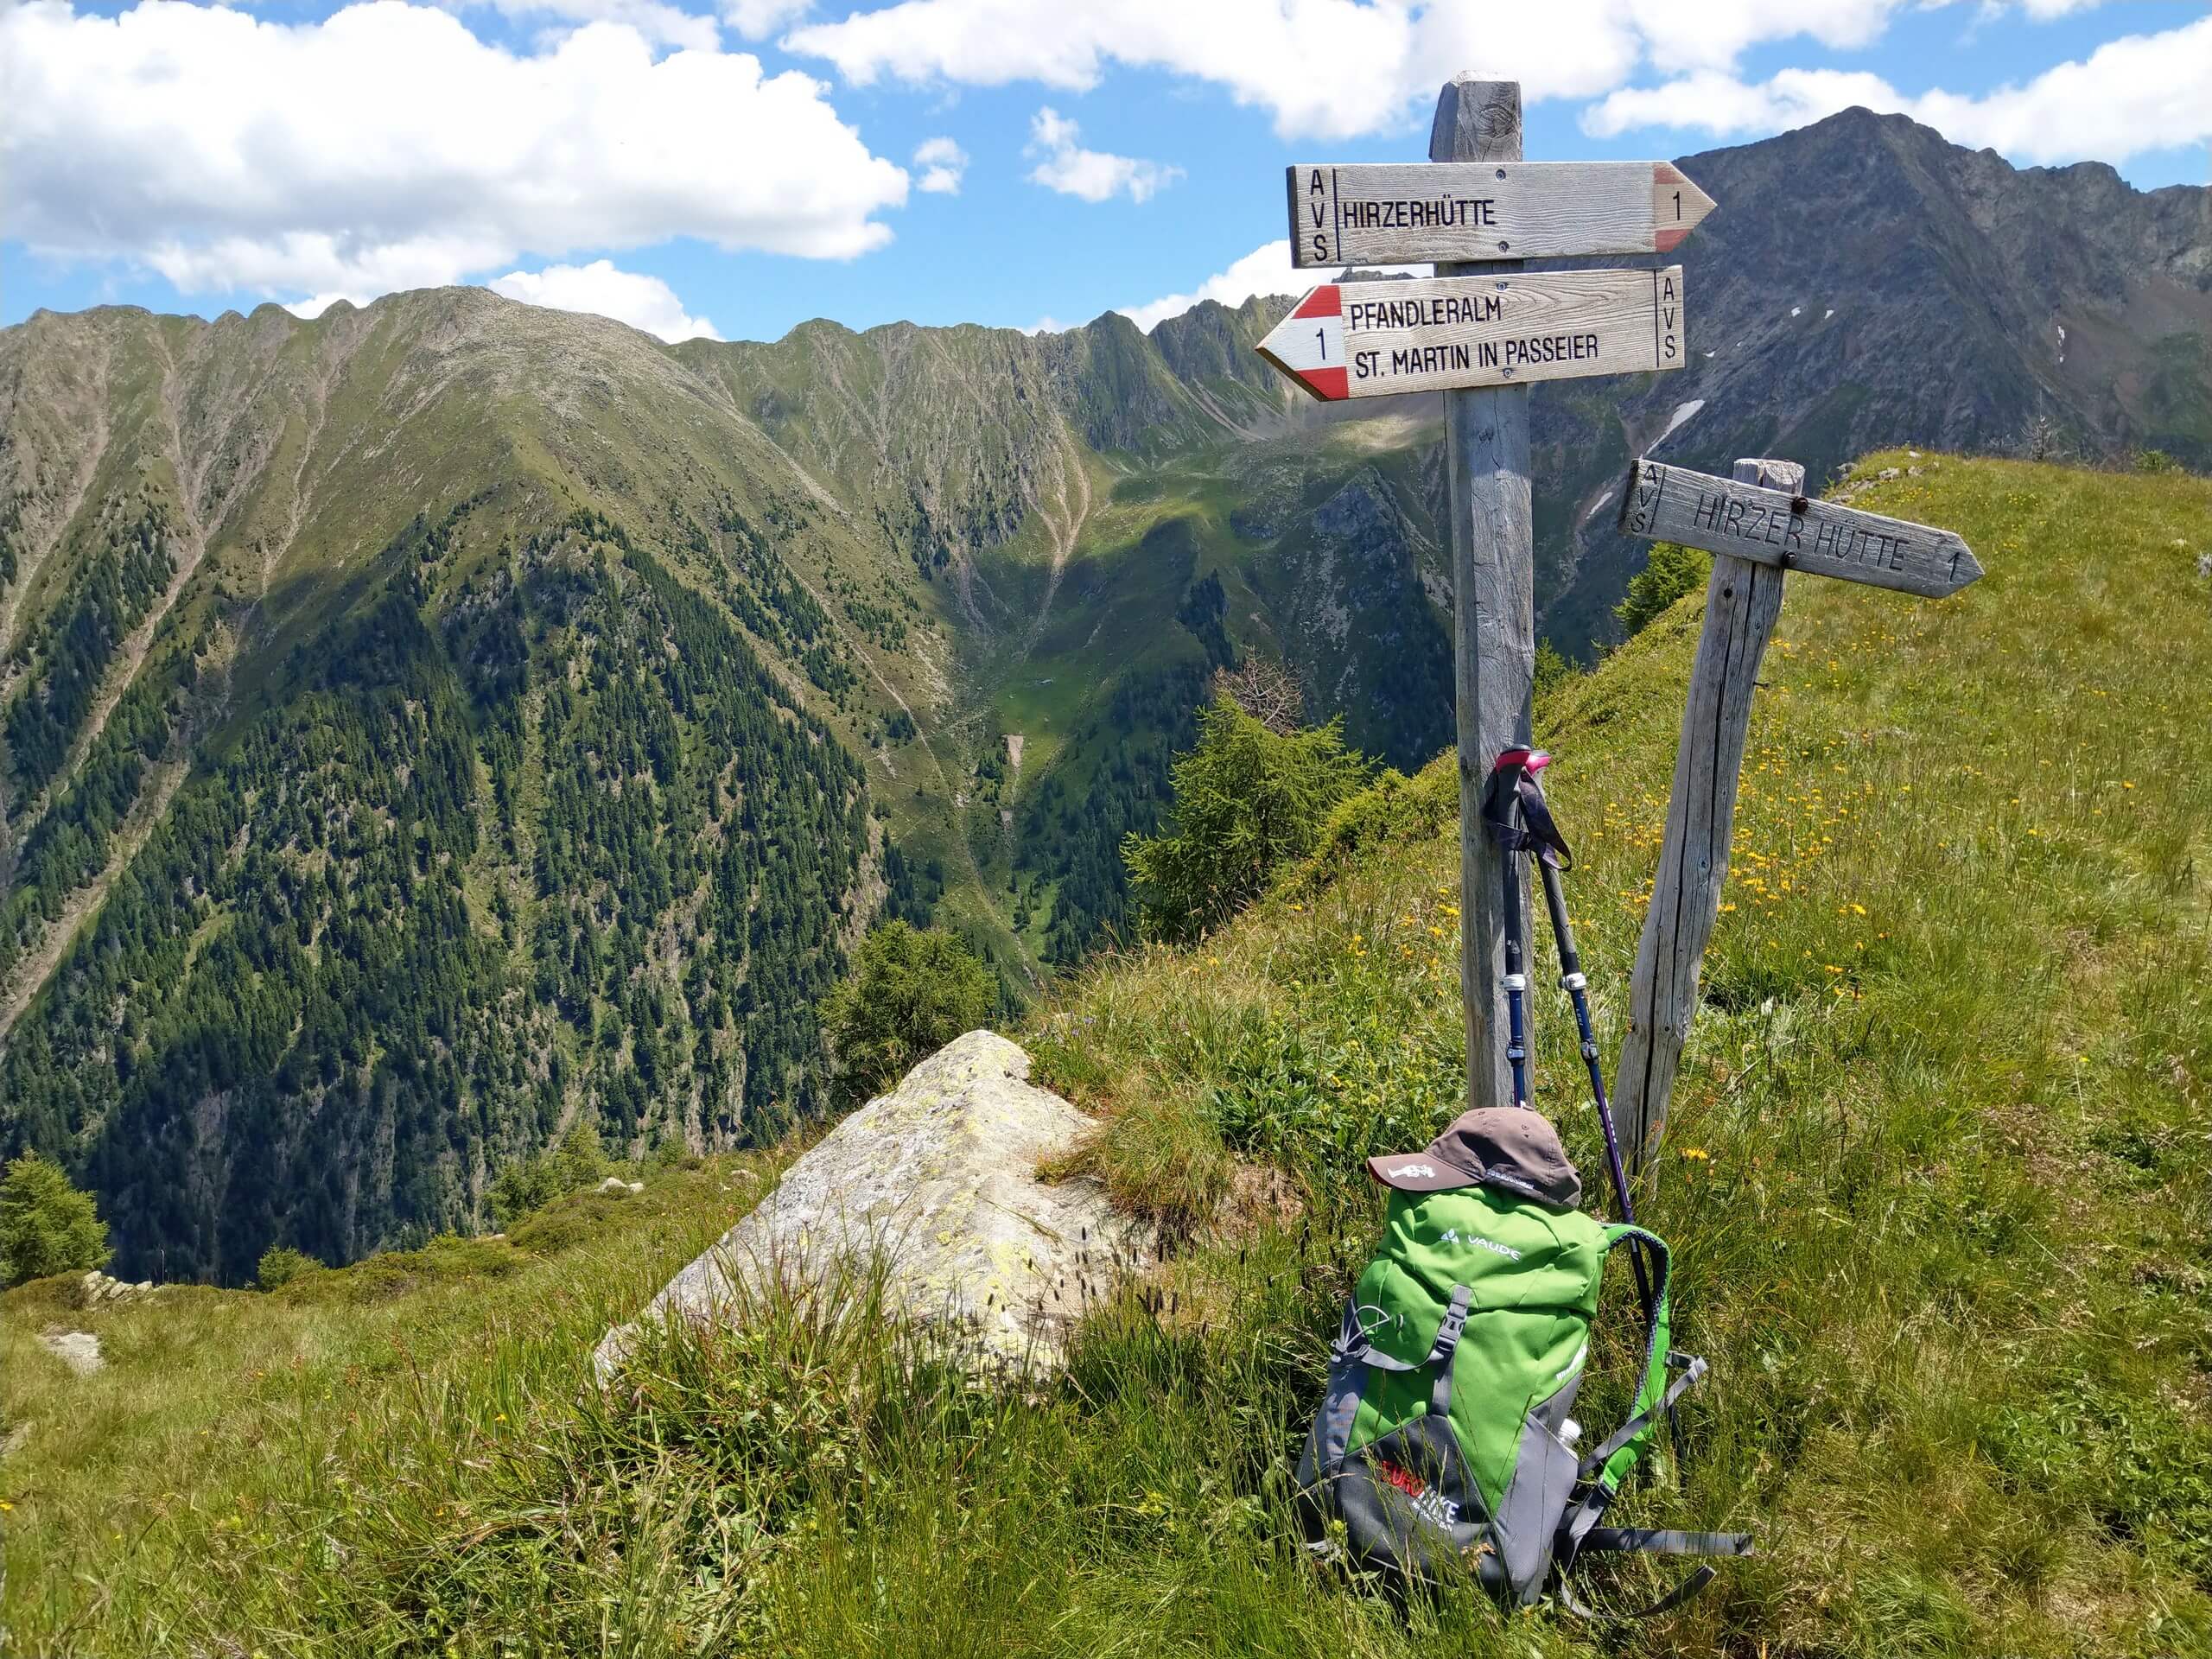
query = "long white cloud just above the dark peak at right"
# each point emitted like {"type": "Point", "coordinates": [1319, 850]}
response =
{"type": "Point", "coordinates": [2129, 96]}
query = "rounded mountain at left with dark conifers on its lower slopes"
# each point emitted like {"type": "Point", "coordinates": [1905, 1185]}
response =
{"type": "Point", "coordinates": [379, 804]}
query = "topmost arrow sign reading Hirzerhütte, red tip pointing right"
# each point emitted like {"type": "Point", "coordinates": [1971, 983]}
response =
{"type": "Point", "coordinates": [1463, 211]}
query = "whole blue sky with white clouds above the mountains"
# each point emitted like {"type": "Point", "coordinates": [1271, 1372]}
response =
{"type": "Point", "coordinates": [740, 169]}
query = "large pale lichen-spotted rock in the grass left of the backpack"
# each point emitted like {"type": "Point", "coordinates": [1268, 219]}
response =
{"type": "Point", "coordinates": [939, 1180]}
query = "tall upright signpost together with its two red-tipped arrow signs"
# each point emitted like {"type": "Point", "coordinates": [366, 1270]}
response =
{"type": "Point", "coordinates": [1481, 333]}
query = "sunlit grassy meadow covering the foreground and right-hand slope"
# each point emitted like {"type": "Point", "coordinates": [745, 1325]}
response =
{"type": "Point", "coordinates": [1937, 1180]}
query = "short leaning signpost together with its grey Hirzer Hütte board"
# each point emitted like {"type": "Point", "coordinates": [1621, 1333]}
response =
{"type": "Point", "coordinates": [1757, 528]}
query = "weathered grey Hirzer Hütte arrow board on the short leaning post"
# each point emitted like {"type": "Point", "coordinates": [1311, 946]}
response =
{"type": "Point", "coordinates": [1775, 528]}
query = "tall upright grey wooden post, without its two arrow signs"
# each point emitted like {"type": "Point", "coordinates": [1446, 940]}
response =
{"type": "Point", "coordinates": [1494, 598]}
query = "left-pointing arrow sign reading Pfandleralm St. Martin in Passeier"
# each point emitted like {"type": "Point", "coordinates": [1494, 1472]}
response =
{"type": "Point", "coordinates": [1441, 333]}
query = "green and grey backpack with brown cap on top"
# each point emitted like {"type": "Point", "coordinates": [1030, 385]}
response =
{"type": "Point", "coordinates": [1448, 1432]}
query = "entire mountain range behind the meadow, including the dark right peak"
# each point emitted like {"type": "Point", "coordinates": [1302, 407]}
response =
{"type": "Point", "coordinates": [988, 574]}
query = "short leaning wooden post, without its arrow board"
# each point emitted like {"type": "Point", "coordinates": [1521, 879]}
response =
{"type": "Point", "coordinates": [1742, 605]}
